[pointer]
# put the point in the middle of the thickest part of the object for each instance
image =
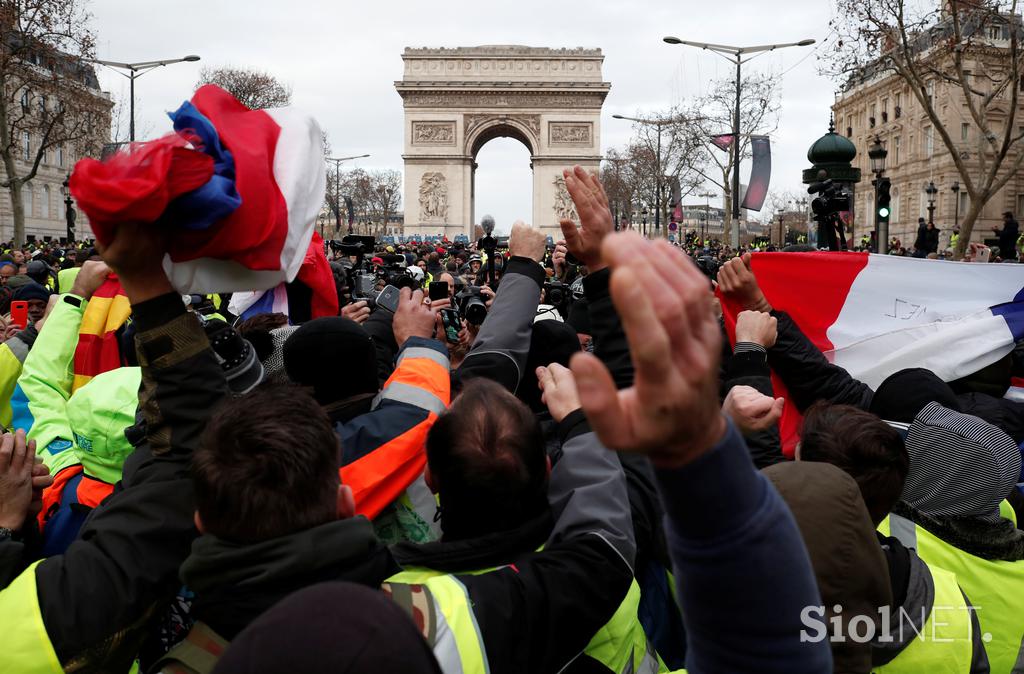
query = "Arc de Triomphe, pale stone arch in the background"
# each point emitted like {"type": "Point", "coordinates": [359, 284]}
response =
{"type": "Point", "coordinates": [458, 100]}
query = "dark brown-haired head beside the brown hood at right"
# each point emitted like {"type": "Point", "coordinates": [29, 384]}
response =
{"type": "Point", "coordinates": [867, 448]}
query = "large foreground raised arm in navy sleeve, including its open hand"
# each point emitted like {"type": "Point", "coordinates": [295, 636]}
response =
{"type": "Point", "coordinates": [743, 572]}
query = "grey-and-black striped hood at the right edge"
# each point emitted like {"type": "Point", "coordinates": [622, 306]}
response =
{"type": "Point", "coordinates": [961, 467]}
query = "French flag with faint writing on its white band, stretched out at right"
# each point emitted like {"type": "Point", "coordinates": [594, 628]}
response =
{"type": "Point", "coordinates": [877, 315]}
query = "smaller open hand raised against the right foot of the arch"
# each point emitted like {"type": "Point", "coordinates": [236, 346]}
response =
{"type": "Point", "coordinates": [595, 219]}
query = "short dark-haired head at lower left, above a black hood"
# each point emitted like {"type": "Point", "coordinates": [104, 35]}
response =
{"type": "Point", "coordinates": [267, 467]}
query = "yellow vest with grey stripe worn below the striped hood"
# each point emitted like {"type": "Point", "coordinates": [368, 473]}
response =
{"type": "Point", "coordinates": [996, 589]}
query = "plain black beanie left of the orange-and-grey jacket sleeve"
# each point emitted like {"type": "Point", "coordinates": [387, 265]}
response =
{"type": "Point", "coordinates": [333, 356]}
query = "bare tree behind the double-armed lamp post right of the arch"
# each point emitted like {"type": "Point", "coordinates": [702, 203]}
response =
{"type": "Point", "coordinates": [713, 116]}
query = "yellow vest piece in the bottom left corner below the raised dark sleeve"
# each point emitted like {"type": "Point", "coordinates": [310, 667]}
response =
{"type": "Point", "coordinates": [27, 648]}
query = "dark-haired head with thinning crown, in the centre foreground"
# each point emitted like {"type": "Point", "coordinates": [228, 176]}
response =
{"type": "Point", "coordinates": [488, 460]}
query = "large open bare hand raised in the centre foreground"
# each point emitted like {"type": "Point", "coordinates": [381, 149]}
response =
{"type": "Point", "coordinates": [671, 413]}
